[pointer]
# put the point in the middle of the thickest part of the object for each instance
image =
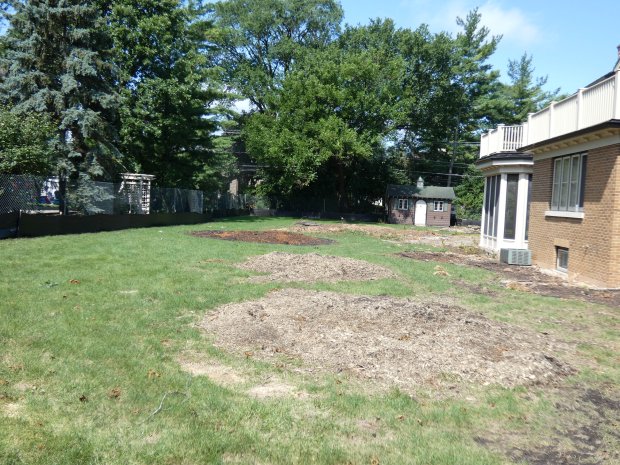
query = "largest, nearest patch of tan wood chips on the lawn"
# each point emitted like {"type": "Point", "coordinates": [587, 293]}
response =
{"type": "Point", "coordinates": [391, 341]}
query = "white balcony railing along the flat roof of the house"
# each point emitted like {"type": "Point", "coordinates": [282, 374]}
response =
{"type": "Point", "coordinates": [586, 108]}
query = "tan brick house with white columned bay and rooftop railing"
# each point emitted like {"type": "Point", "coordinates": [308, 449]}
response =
{"type": "Point", "coordinates": [571, 218]}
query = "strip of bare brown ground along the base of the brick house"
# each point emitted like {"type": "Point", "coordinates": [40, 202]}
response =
{"type": "Point", "coordinates": [522, 278]}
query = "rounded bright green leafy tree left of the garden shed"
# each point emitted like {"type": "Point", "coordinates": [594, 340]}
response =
{"type": "Point", "coordinates": [334, 110]}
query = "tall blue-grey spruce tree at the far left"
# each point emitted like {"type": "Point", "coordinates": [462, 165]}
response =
{"type": "Point", "coordinates": [56, 63]}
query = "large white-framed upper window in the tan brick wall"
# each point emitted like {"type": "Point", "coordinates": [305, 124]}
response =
{"type": "Point", "coordinates": [569, 174]}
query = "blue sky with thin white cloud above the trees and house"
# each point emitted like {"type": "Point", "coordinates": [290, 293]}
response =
{"type": "Point", "coordinates": [572, 42]}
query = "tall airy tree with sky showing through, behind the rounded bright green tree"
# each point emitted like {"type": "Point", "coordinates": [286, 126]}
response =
{"type": "Point", "coordinates": [259, 41]}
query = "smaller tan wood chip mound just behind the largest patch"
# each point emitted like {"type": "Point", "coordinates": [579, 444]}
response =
{"type": "Point", "coordinates": [312, 267]}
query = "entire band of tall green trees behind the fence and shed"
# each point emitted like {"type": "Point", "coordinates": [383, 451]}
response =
{"type": "Point", "coordinates": [334, 110]}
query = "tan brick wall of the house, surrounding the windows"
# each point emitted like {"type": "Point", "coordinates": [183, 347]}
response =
{"type": "Point", "coordinates": [594, 241]}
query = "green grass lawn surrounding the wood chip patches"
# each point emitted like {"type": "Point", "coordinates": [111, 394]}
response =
{"type": "Point", "coordinates": [92, 327]}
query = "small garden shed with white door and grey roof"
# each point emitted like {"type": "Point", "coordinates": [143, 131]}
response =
{"type": "Point", "coordinates": [419, 205]}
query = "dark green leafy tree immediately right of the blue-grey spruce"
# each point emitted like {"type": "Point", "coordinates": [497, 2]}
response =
{"type": "Point", "coordinates": [170, 91]}
